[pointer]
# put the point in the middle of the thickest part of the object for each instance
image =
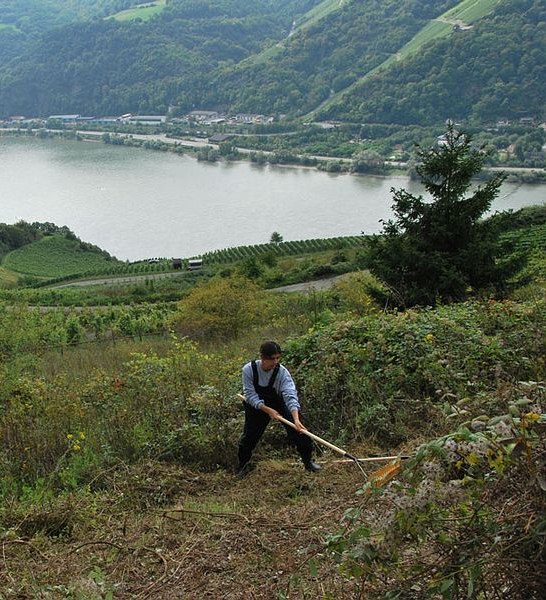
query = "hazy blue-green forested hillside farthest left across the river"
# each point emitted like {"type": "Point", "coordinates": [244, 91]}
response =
{"type": "Point", "coordinates": [110, 66]}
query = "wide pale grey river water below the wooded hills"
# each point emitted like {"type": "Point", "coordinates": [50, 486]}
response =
{"type": "Point", "coordinates": [138, 203]}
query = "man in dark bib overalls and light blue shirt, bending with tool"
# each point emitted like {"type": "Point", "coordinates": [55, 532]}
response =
{"type": "Point", "coordinates": [270, 392]}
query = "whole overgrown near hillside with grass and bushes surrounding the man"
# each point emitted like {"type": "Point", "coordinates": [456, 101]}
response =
{"type": "Point", "coordinates": [119, 427]}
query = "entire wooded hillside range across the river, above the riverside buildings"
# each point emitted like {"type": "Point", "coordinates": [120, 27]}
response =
{"type": "Point", "coordinates": [345, 60]}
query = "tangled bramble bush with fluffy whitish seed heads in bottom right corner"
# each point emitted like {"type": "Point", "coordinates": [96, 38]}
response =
{"type": "Point", "coordinates": [464, 519]}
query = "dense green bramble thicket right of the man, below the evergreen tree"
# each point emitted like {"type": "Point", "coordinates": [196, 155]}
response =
{"type": "Point", "coordinates": [385, 376]}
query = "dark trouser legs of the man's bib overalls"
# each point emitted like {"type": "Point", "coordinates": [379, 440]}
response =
{"type": "Point", "coordinates": [256, 422]}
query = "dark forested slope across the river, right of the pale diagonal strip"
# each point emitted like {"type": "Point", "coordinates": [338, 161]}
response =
{"type": "Point", "coordinates": [495, 69]}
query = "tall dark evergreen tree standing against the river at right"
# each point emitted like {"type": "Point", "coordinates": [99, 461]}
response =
{"type": "Point", "coordinates": [441, 249]}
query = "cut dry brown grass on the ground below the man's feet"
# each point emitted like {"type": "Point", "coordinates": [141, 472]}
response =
{"type": "Point", "coordinates": [163, 532]}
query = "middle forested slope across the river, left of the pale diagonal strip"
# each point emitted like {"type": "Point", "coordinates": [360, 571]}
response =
{"type": "Point", "coordinates": [325, 57]}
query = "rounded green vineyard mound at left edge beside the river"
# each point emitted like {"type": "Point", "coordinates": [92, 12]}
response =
{"type": "Point", "coordinates": [54, 256]}
